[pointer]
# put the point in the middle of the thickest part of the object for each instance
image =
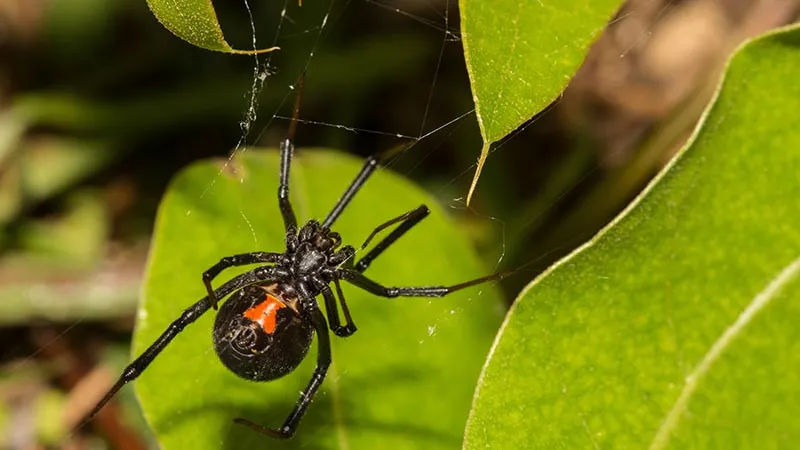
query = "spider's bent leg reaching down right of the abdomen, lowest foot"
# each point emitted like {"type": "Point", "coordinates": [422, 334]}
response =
{"type": "Point", "coordinates": [323, 362]}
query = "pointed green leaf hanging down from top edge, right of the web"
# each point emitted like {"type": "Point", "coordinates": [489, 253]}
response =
{"type": "Point", "coordinates": [520, 56]}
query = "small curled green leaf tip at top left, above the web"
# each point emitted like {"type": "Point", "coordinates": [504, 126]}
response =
{"type": "Point", "coordinates": [195, 21]}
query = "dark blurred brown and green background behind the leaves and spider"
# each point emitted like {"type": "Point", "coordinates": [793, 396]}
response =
{"type": "Point", "coordinates": [100, 106]}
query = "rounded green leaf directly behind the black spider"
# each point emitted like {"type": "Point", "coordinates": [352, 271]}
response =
{"type": "Point", "coordinates": [407, 375]}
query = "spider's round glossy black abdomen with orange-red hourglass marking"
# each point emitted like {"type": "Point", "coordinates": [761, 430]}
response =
{"type": "Point", "coordinates": [259, 336]}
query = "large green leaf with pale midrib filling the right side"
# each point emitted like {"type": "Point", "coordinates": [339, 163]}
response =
{"type": "Point", "coordinates": [677, 326]}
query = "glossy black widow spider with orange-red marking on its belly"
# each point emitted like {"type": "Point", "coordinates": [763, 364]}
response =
{"type": "Point", "coordinates": [264, 330]}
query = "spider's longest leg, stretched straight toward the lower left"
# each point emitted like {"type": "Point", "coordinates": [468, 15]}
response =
{"type": "Point", "coordinates": [188, 316]}
